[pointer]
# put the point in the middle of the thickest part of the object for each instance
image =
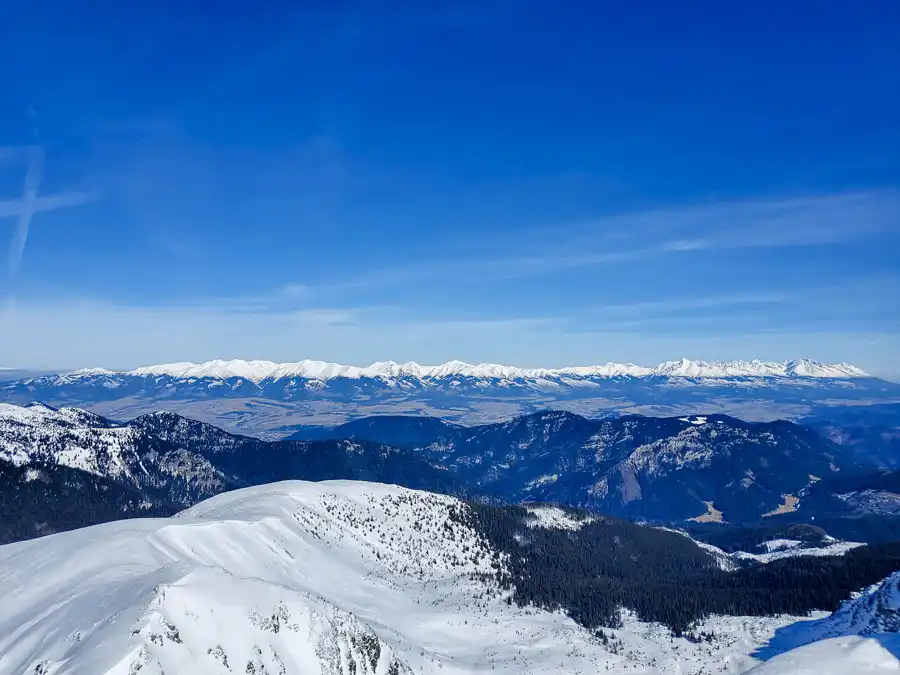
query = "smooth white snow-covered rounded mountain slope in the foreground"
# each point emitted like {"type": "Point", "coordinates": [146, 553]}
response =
{"type": "Point", "coordinates": [337, 577]}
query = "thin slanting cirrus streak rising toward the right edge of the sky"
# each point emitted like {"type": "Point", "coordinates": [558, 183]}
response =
{"type": "Point", "coordinates": [765, 223]}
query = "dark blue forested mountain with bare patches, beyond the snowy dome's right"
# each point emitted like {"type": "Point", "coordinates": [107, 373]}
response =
{"type": "Point", "coordinates": [713, 467]}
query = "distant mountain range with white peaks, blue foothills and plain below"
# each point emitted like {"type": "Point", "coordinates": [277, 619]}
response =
{"type": "Point", "coordinates": [271, 399]}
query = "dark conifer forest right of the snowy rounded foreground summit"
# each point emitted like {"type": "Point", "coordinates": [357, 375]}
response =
{"type": "Point", "coordinates": [662, 576]}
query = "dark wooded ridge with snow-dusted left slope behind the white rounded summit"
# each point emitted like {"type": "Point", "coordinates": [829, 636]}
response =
{"type": "Point", "coordinates": [68, 468]}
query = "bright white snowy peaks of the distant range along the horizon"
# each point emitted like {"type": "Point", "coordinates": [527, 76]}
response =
{"type": "Point", "coordinates": [258, 371]}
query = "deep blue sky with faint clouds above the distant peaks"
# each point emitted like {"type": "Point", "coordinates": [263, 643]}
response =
{"type": "Point", "coordinates": [532, 182]}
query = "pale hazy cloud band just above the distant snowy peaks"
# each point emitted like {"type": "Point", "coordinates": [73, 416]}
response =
{"type": "Point", "coordinates": [119, 336]}
